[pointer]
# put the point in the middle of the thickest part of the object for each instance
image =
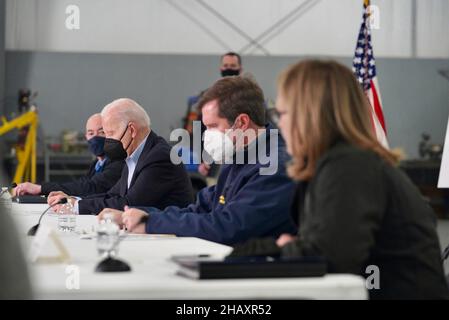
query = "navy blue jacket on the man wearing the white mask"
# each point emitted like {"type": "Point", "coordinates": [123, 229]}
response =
{"type": "Point", "coordinates": [242, 205]}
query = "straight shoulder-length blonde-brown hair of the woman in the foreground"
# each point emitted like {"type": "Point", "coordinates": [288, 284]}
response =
{"type": "Point", "coordinates": [325, 103]}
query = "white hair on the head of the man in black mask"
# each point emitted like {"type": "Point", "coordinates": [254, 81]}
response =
{"type": "Point", "coordinates": [126, 110]}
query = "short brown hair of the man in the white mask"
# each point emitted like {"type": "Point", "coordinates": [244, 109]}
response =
{"type": "Point", "coordinates": [236, 95]}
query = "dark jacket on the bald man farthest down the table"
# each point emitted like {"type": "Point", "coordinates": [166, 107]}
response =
{"type": "Point", "coordinates": [92, 183]}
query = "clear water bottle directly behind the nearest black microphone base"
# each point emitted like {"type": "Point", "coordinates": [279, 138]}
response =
{"type": "Point", "coordinates": [108, 233]}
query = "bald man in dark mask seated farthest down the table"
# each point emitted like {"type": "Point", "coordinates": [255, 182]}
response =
{"type": "Point", "coordinates": [103, 173]}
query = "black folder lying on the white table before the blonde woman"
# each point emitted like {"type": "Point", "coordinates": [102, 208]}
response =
{"type": "Point", "coordinates": [203, 267]}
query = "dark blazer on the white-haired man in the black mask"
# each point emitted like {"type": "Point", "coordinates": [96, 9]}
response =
{"type": "Point", "coordinates": [156, 182]}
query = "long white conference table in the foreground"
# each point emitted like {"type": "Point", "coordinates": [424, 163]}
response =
{"type": "Point", "coordinates": [153, 274]}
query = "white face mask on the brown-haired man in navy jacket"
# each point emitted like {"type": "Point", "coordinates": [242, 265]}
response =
{"type": "Point", "coordinates": [218, 145]}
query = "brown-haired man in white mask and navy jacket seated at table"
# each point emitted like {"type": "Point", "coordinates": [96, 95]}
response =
{"type": "Point", "coordinates": [247, 200]}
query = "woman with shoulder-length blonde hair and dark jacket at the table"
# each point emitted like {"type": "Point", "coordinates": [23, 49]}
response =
{"type": "Point", "coordinates": [354, 207]}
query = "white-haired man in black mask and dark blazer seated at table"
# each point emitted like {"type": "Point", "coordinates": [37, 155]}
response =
{"type": "Point", "coordinates": [149, 177]}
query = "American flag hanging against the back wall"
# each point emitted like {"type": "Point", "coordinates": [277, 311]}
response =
{"type": "Point", "coordinates": [364, 68]}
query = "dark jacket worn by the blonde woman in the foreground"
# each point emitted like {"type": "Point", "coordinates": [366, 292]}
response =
{"type": "Point", "coordinates": [359, 211]}
